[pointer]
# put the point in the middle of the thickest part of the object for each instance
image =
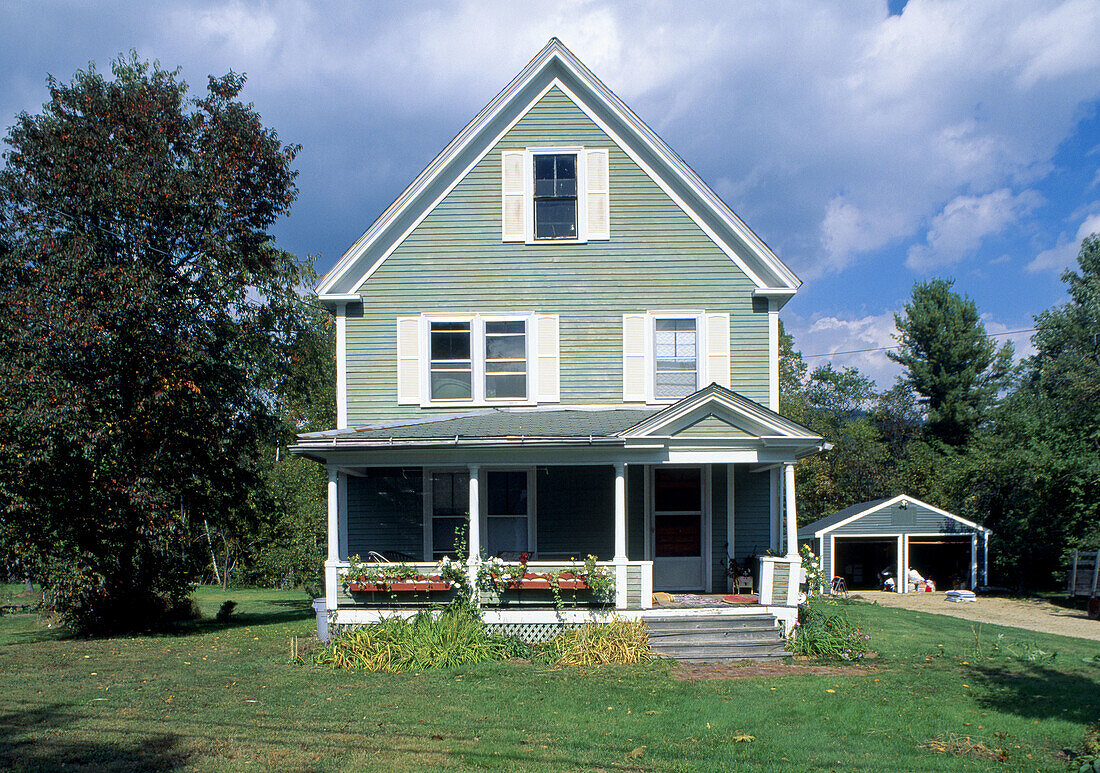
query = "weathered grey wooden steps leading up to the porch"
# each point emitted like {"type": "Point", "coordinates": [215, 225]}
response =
{"type": "Point", "coordinates": [716, 637]}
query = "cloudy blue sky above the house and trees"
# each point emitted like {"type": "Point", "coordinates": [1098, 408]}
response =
{"type": "Point", "coordinates": [872, 145]}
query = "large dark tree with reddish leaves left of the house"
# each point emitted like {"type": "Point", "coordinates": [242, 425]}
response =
{"type": "Point", "coordinates": [148, 315]}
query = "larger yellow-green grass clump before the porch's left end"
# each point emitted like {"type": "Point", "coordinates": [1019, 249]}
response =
{"type": "Point", "coordinates": [431, 639]}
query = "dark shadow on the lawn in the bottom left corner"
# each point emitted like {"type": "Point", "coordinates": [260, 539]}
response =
{"type": "Point", "coordinates": [35, 741]}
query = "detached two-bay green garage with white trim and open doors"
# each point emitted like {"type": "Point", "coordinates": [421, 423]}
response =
{"type": "Point", "coordinates": [900, 534]}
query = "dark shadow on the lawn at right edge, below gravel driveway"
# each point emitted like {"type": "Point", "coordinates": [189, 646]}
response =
{"type": "Point", "coordinates": [1039, 692]}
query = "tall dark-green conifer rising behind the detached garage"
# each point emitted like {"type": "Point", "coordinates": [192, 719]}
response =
{"type": "Point", "coordinates": [950, 360]}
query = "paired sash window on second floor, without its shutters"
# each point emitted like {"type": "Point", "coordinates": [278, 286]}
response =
{"type": "Point", "coordinates": [478, 360]}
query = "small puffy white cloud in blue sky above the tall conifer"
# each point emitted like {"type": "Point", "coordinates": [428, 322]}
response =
{"type": "Point", "coordinates": [964, 223]}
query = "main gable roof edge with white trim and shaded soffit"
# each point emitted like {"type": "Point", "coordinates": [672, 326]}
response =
{"type": "Point", "coordinates": [557, 67]}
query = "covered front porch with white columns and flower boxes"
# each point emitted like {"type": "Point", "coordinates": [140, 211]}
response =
{"type": "Point", "coordinates": [581, 521]}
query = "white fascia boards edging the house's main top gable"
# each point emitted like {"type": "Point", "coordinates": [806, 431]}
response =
{"type": "Point", "coordinates": [555, 52]}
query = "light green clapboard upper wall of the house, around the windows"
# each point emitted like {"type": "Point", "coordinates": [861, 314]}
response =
{"type": "Point", "coordinates": [455, 261]}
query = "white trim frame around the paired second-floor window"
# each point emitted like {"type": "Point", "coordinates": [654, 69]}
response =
{"type": "Point", "coordinates": [478, 358]}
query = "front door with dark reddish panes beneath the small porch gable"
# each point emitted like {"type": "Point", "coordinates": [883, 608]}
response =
{"type": "Point", "coordinates": [678, 529]}
